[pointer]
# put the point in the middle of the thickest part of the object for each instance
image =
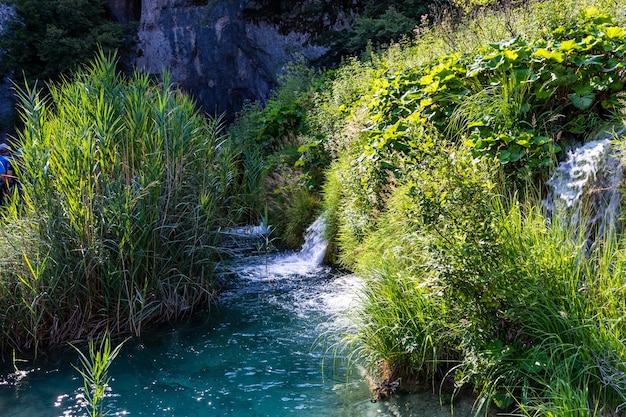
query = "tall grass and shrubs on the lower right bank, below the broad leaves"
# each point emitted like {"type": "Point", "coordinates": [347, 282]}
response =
{"type": "Point", "coordinates": [534, 329]}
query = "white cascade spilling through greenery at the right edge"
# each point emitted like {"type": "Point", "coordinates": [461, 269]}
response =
{"type": "Point", "coordinates": [585, 186]}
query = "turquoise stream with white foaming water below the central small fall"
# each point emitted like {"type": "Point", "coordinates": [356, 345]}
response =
{"type": "Point", "coordinates": [263, 350]}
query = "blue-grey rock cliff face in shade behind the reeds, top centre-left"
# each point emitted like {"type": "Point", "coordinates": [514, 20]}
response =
{"type": "Point", "coordinates": [210, 50]}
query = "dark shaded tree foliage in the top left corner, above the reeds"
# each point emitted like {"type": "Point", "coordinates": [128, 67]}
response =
{"type": "Point", "coordinates": [50, 37]}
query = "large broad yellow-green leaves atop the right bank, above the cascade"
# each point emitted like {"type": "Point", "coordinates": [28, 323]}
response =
{"type": "Point", "coordinates": [578, 69]}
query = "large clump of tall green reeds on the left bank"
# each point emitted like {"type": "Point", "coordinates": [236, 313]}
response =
{"type": "Point", "coordinates": [125, 186]}
